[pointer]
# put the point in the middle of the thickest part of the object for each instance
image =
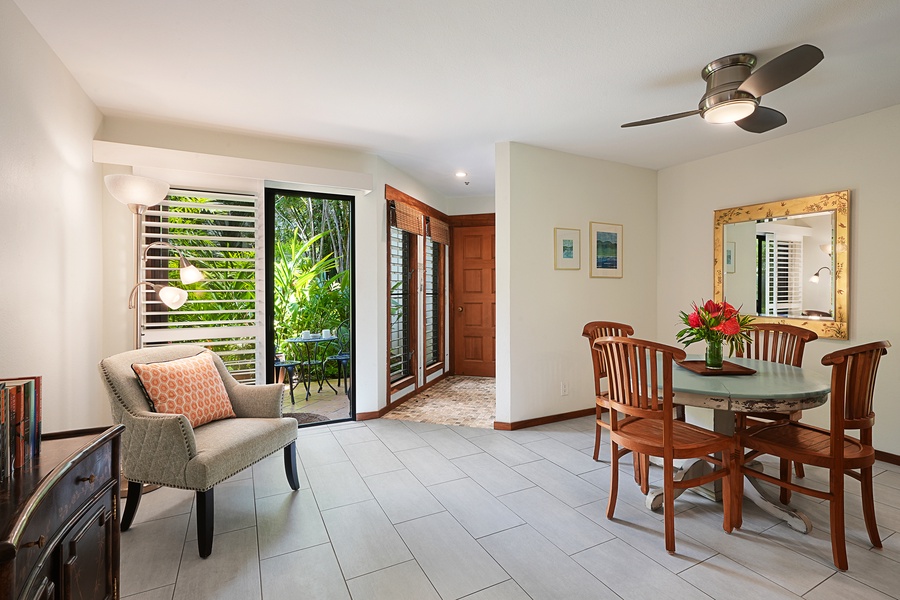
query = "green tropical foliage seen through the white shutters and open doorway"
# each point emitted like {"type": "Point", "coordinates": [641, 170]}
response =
{"type": "Point", "coordinates": [311, 269]}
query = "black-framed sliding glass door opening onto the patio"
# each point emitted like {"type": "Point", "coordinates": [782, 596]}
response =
{"type": "Point", "coordinates": [309, 301]}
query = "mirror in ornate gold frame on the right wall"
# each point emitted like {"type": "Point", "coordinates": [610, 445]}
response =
{"type": "Point", "coordinates": [787, 261]}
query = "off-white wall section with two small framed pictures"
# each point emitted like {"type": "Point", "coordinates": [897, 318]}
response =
{"type": "Point", "coordinates": [541, 311]}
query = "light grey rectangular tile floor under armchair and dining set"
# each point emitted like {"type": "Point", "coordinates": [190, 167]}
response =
{"type": "Point", "coordinates": [401, 510]}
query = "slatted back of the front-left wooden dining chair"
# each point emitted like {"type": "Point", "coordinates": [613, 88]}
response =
{"type": "Point", "coordinates": [640, 376]}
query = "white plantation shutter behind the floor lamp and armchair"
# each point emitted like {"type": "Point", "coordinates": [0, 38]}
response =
{"type": "Point", "coordinates": [219, 234]}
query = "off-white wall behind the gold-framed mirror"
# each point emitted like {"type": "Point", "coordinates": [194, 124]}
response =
{"type": "Point", "coordinates": [859, 154]}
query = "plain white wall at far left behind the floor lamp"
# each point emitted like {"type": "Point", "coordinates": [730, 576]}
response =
{"type": "Point", "coordinates": [51, 318]}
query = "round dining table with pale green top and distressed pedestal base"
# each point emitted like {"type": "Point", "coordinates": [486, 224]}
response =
{"type": "Point", "coordinates": [772, 388]}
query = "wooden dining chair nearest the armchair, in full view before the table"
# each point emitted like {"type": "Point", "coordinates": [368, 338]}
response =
{"type": "Point", "coordinates": [640, 387]}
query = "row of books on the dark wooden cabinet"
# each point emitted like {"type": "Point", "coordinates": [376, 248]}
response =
{"type": "Point", "coordinates": [20, 423]}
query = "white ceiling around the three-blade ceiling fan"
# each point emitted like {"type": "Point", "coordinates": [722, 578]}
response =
{"type": "Point", "coordinates": [432, 85]}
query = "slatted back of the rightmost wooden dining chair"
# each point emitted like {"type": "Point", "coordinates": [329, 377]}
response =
{"type": "Point", "coordinates": [853, 384]}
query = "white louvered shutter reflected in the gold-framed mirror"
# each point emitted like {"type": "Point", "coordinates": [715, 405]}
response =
{"type": "Point", "coordinates": [783, 291]}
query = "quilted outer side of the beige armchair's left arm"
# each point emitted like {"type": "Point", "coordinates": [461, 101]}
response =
{"type": "Point", "coordinates": [156, 447]}
